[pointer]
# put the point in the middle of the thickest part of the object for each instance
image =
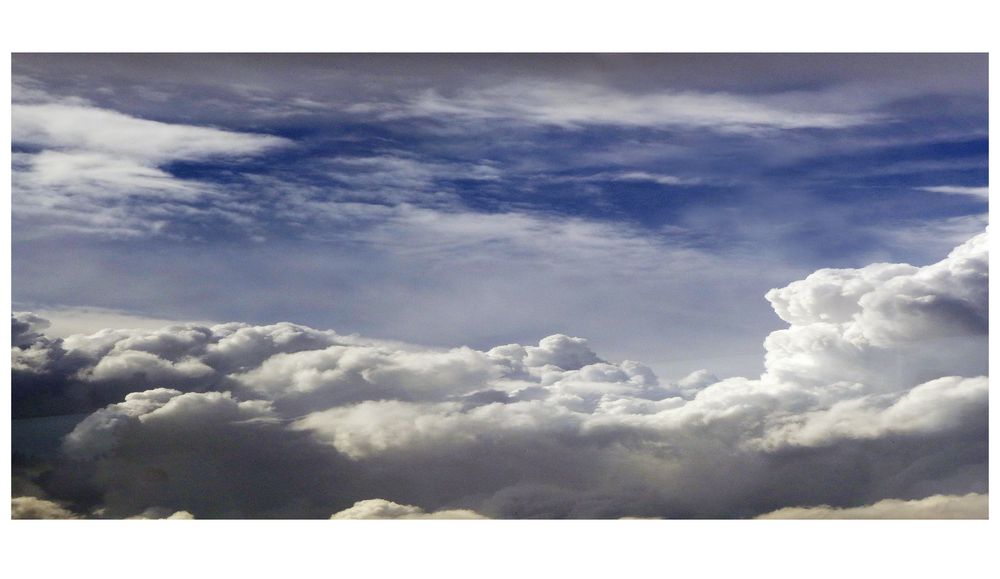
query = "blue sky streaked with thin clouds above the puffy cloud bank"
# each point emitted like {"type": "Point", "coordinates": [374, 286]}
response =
{"type": "Point", "coordinates": [646, 202]}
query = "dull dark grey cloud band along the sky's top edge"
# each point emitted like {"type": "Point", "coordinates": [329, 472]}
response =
{"type": "Point", "coordinates": [753, 73]}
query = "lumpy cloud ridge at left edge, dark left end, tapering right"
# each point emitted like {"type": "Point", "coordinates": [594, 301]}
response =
{"type": "Point", "coordinates": [83, 372]}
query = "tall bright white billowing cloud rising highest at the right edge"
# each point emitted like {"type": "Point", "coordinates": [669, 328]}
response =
{"type": "Point", "coordinates": [885, 325]}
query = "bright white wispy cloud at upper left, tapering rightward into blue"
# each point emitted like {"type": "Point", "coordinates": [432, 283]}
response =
{"type": "Point", "coordinates": [83, 169]}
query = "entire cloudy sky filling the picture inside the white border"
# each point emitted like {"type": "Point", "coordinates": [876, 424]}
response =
{"type": "Point", "coordinates": [554, 285]}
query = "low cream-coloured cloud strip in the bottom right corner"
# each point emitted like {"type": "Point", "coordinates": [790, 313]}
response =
{"type": "Point", "coordinates": [970, 506]}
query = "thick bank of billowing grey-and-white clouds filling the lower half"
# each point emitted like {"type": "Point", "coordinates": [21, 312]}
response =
{"type": "Point", "coordinates": [873, 403]}
